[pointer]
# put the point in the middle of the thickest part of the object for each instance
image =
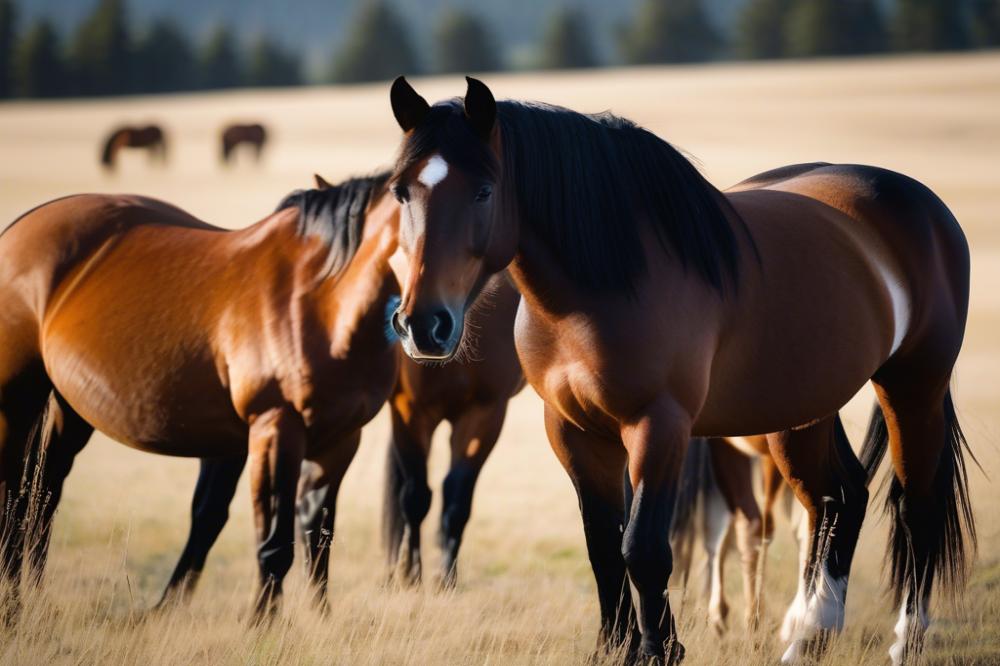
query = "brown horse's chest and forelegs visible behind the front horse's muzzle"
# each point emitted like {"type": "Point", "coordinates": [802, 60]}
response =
{"type": "Point", "coordinates": [472, 396]}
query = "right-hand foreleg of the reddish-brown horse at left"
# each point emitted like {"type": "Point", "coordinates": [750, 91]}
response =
{"type": "Point", "coordinates": [317, 509]}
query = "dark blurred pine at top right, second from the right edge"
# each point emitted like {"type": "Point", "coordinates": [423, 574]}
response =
{"type": "Point", "coordinates": [930, 25]}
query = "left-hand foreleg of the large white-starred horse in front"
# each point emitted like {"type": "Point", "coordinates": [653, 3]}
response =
{"type": "Point", "coordinates": [596, 465]}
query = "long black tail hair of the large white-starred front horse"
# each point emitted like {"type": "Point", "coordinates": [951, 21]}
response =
{"type": "Point", "coordinates": [937, 545]}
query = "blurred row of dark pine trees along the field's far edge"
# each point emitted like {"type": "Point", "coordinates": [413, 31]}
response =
{"type": "Point", "coordinates": [104, 55]}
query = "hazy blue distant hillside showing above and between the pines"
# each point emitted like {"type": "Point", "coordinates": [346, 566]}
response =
{"type": "Point", "coordinates": [317, 26]}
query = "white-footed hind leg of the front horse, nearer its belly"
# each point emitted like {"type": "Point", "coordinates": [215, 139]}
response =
{"type": "Point", "coordinates": [830, 483]}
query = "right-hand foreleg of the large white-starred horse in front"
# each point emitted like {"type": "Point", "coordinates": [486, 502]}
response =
{"type": "Point", "coordinates": [656, 441]}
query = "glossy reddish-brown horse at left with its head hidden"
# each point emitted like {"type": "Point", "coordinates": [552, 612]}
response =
{"type": "Point", "coordinates": [128, 315]}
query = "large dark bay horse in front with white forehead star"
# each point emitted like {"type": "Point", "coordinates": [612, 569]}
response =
{"type": "Point", "coordinates": [656, 307]}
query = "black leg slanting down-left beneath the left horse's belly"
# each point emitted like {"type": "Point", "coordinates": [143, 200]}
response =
{"type": "Point", "coordinates": [217, 482]}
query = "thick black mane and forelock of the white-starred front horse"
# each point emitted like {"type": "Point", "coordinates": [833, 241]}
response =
{"type": "Point", "coordinates": [584, 183]}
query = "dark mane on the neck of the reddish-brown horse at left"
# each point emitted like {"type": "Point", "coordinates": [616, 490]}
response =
{"type": "Point", "coordinates": [336, 215]}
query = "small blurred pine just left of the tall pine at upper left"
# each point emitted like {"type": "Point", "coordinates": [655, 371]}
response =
{"type": "Point", "coordinates": [38, 68]}
